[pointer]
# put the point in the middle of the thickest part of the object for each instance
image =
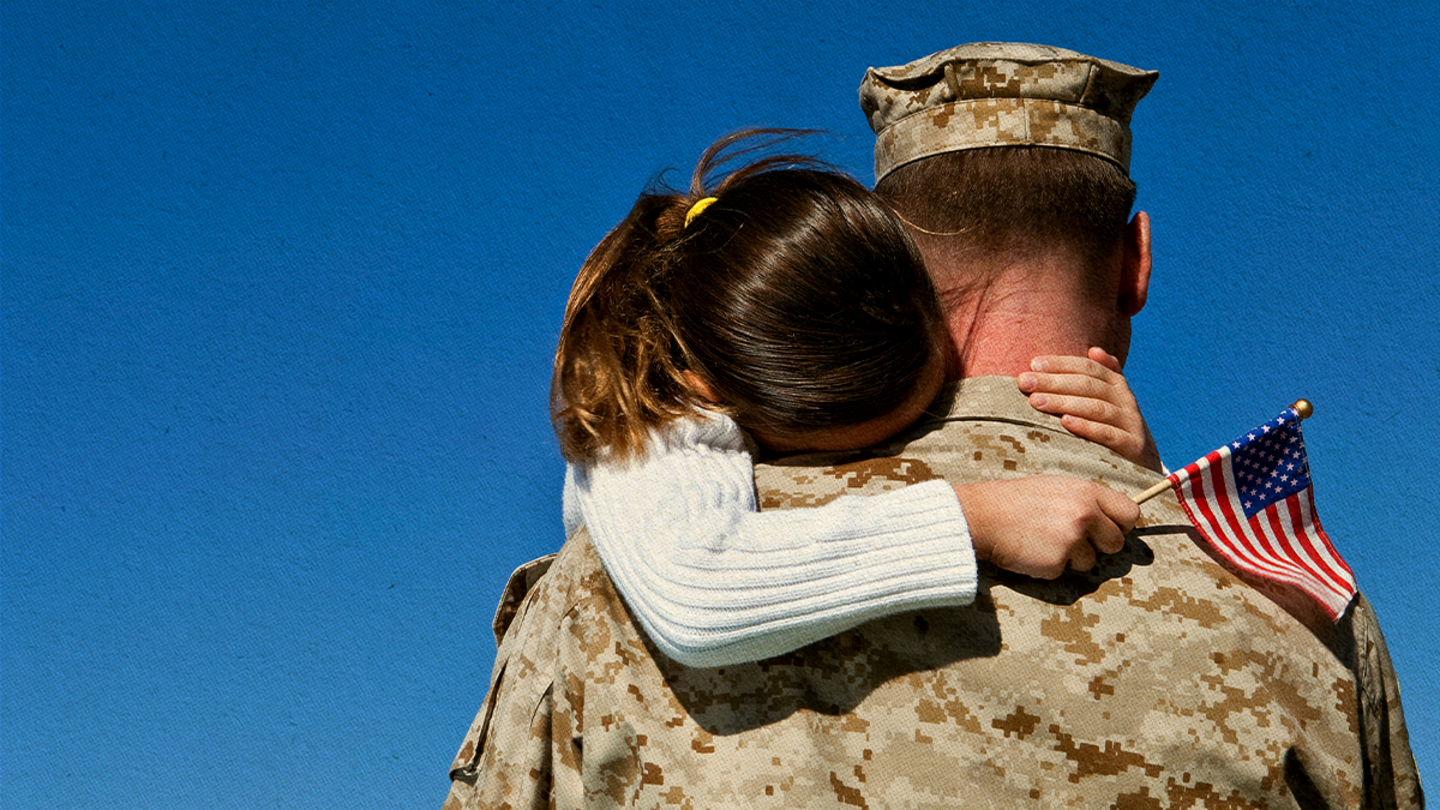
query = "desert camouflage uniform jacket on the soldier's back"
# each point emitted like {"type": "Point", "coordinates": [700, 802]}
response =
{"type": "Point", "coordinates": [1157, 681]}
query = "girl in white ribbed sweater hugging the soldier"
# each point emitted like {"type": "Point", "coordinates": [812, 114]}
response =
{"type": "Point", "coordinates": [784, 309]}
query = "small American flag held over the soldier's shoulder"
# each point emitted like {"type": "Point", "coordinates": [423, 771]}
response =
{"type": "Point", "coordinates": [1252, 501]}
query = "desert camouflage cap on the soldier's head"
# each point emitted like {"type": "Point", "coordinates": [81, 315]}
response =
{"type": "Point", "coordinates": [990, 94]}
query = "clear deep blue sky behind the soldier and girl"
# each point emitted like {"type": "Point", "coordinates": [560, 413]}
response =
{"type": "Point", "coordinates": [282, 285]}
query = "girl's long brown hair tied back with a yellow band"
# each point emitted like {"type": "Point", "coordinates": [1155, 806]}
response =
{"type": "Point", "coordinates": [797, 296]}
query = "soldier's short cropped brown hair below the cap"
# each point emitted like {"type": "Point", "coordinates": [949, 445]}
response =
{"type": "Point", "coordinates": [997, 200]}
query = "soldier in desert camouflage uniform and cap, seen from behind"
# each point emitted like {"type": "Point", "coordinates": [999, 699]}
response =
{"type": "Point", "coordinates": [1158, 680]}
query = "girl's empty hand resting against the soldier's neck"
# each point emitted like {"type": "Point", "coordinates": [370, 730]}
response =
{"type": "Point", "coordinates": [1094, 401]}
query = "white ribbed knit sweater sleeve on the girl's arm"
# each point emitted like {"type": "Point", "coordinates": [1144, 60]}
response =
{"type": "Point", "coordinates": [715, 582]}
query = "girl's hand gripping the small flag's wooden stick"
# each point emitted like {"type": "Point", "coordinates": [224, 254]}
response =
{"type": "Point", "coordinates": [1042, 525]}
